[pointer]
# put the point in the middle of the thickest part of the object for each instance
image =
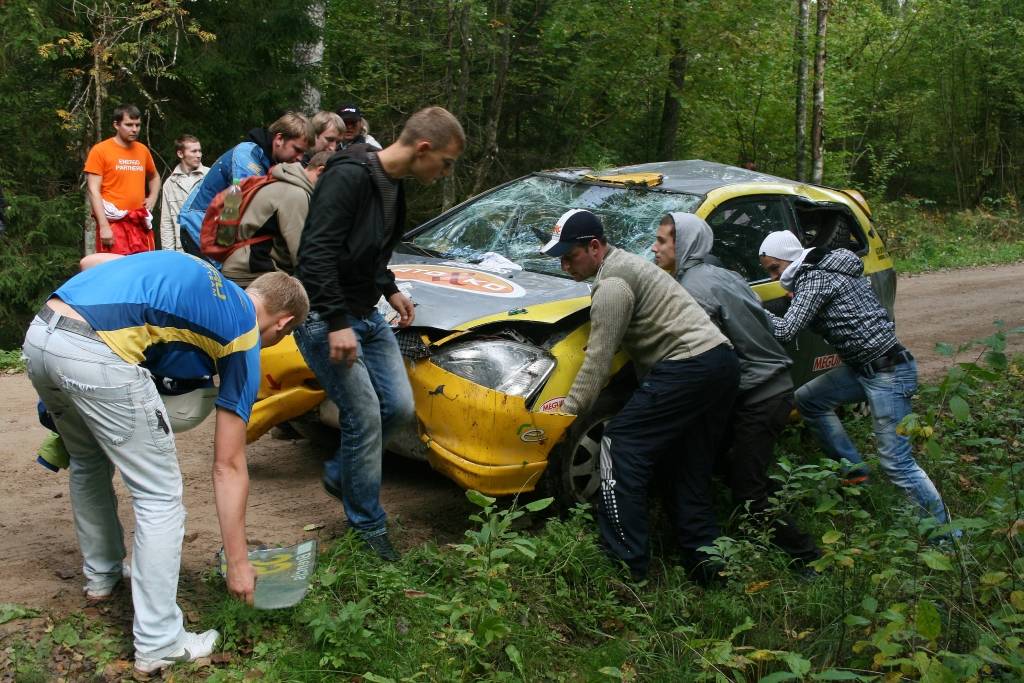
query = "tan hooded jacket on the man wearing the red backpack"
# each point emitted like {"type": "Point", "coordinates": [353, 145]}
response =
{"type": "Point", "coordinates": [278, 210]}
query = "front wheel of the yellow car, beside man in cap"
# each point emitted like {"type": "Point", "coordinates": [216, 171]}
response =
{"type": "Point", "coordinates": [574, 474]}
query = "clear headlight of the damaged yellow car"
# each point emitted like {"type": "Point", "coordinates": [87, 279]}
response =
{"type": "Point", "coordinates": [513, 368]}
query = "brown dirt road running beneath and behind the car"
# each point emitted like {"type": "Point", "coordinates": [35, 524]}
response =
{"type": "Point", "coordinates": [42, 568]}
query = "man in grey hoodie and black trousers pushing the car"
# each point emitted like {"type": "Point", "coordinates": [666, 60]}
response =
{"type": "Point", "coordinates": [765, 399]}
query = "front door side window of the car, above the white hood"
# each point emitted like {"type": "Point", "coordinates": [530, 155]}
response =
{"type": "Point", "coordinates": [741, 227]}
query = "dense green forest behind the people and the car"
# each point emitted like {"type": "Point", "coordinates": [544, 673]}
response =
{"type": "Point", "coordinates": [922, 101]}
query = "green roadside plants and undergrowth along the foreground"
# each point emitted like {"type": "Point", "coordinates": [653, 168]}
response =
{"type": "Point", "coordinates": [515, 603]}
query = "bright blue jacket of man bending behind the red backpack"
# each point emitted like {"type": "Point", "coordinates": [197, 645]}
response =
{"type": "Point", "coordinates": [253, 157]}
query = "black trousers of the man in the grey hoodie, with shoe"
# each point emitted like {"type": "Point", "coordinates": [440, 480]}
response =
{"type": "Point", "coordinates": [749, 454]}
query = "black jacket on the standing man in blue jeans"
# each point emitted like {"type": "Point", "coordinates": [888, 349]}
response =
{"type": "Point", "coordinates": [345, 251]}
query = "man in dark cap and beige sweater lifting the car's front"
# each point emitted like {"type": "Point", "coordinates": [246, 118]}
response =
{"type": "Point", "coordinates": [689, 376]}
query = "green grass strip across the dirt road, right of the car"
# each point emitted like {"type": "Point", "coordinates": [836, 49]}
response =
{"type": "Point", "coordinates": [923, 239]}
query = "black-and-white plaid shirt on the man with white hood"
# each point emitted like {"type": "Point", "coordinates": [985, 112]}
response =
{"type": "Point", "coordinates": [835, 301]}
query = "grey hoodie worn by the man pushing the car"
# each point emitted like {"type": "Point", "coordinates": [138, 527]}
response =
{"type": "Point", "coordinates": [732, 305]}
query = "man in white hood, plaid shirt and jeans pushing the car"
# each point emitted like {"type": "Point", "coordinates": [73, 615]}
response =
{"type": "Point", "coordinates": [833, 298]}
